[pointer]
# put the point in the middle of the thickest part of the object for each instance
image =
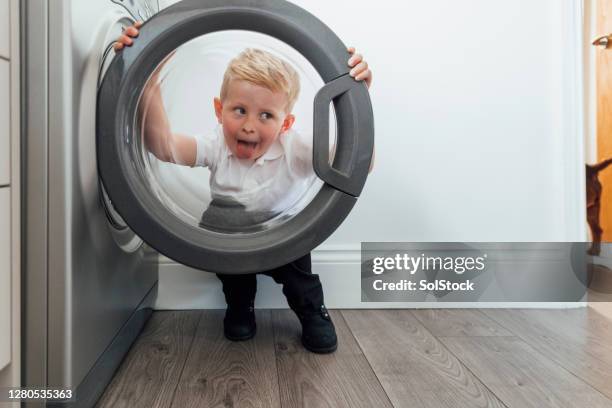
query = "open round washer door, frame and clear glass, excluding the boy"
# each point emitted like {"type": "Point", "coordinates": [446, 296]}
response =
{"type": "Point", "coordinates": [170, 206]}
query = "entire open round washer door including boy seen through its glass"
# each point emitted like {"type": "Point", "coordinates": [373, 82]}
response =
{"type": "Point", "coordinates": [210, 170]}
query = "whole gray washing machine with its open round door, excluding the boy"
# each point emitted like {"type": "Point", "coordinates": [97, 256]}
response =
{"type": "Point", "coordinates": [99, 207]}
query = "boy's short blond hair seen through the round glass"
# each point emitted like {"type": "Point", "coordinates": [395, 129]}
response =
{"type": "Point", "coordinates": [263, 69]}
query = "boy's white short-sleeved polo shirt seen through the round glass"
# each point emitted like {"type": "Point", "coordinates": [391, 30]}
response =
{"type": "Point", "coordinates": [273, 182]}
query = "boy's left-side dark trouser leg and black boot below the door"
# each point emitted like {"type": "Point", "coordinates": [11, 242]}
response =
{"type": "Point", "coordinates": [239, 321]}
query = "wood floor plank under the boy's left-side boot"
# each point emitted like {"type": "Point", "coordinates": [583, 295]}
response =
{"type": "Point", "coordinates": [222, 373]}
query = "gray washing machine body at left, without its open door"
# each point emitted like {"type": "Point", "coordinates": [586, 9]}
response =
{"type": "Point", "coordinates": [89, 282]}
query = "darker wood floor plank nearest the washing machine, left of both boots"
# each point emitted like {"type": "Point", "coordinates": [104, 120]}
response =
{"type": "Point", "coordinates": [149, 374]}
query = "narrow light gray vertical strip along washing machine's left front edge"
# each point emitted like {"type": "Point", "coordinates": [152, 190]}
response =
{"type": "Point", "coordinates": [59, 206]}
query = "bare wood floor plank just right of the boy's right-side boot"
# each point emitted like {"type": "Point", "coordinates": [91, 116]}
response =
{"type": "Point", "coordinates": [414, 368]}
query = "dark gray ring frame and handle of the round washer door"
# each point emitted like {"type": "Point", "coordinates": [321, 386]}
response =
{"type": "Point", "coordinates": [344, 179]}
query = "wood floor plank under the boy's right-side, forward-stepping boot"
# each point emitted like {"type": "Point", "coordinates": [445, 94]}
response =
{"type": "Point", "coordinates": [340, 379]}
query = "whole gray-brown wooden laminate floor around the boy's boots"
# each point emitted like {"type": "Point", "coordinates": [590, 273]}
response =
{"type": "Point", "coordinates": [386, 358]}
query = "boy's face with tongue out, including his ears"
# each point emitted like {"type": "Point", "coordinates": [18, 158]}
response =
{"type": "Point", "coordinates": [252, 118]}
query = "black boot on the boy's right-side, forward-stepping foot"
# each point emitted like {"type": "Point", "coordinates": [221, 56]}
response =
{"type": "Point", "coordinates": [318, 331]}
